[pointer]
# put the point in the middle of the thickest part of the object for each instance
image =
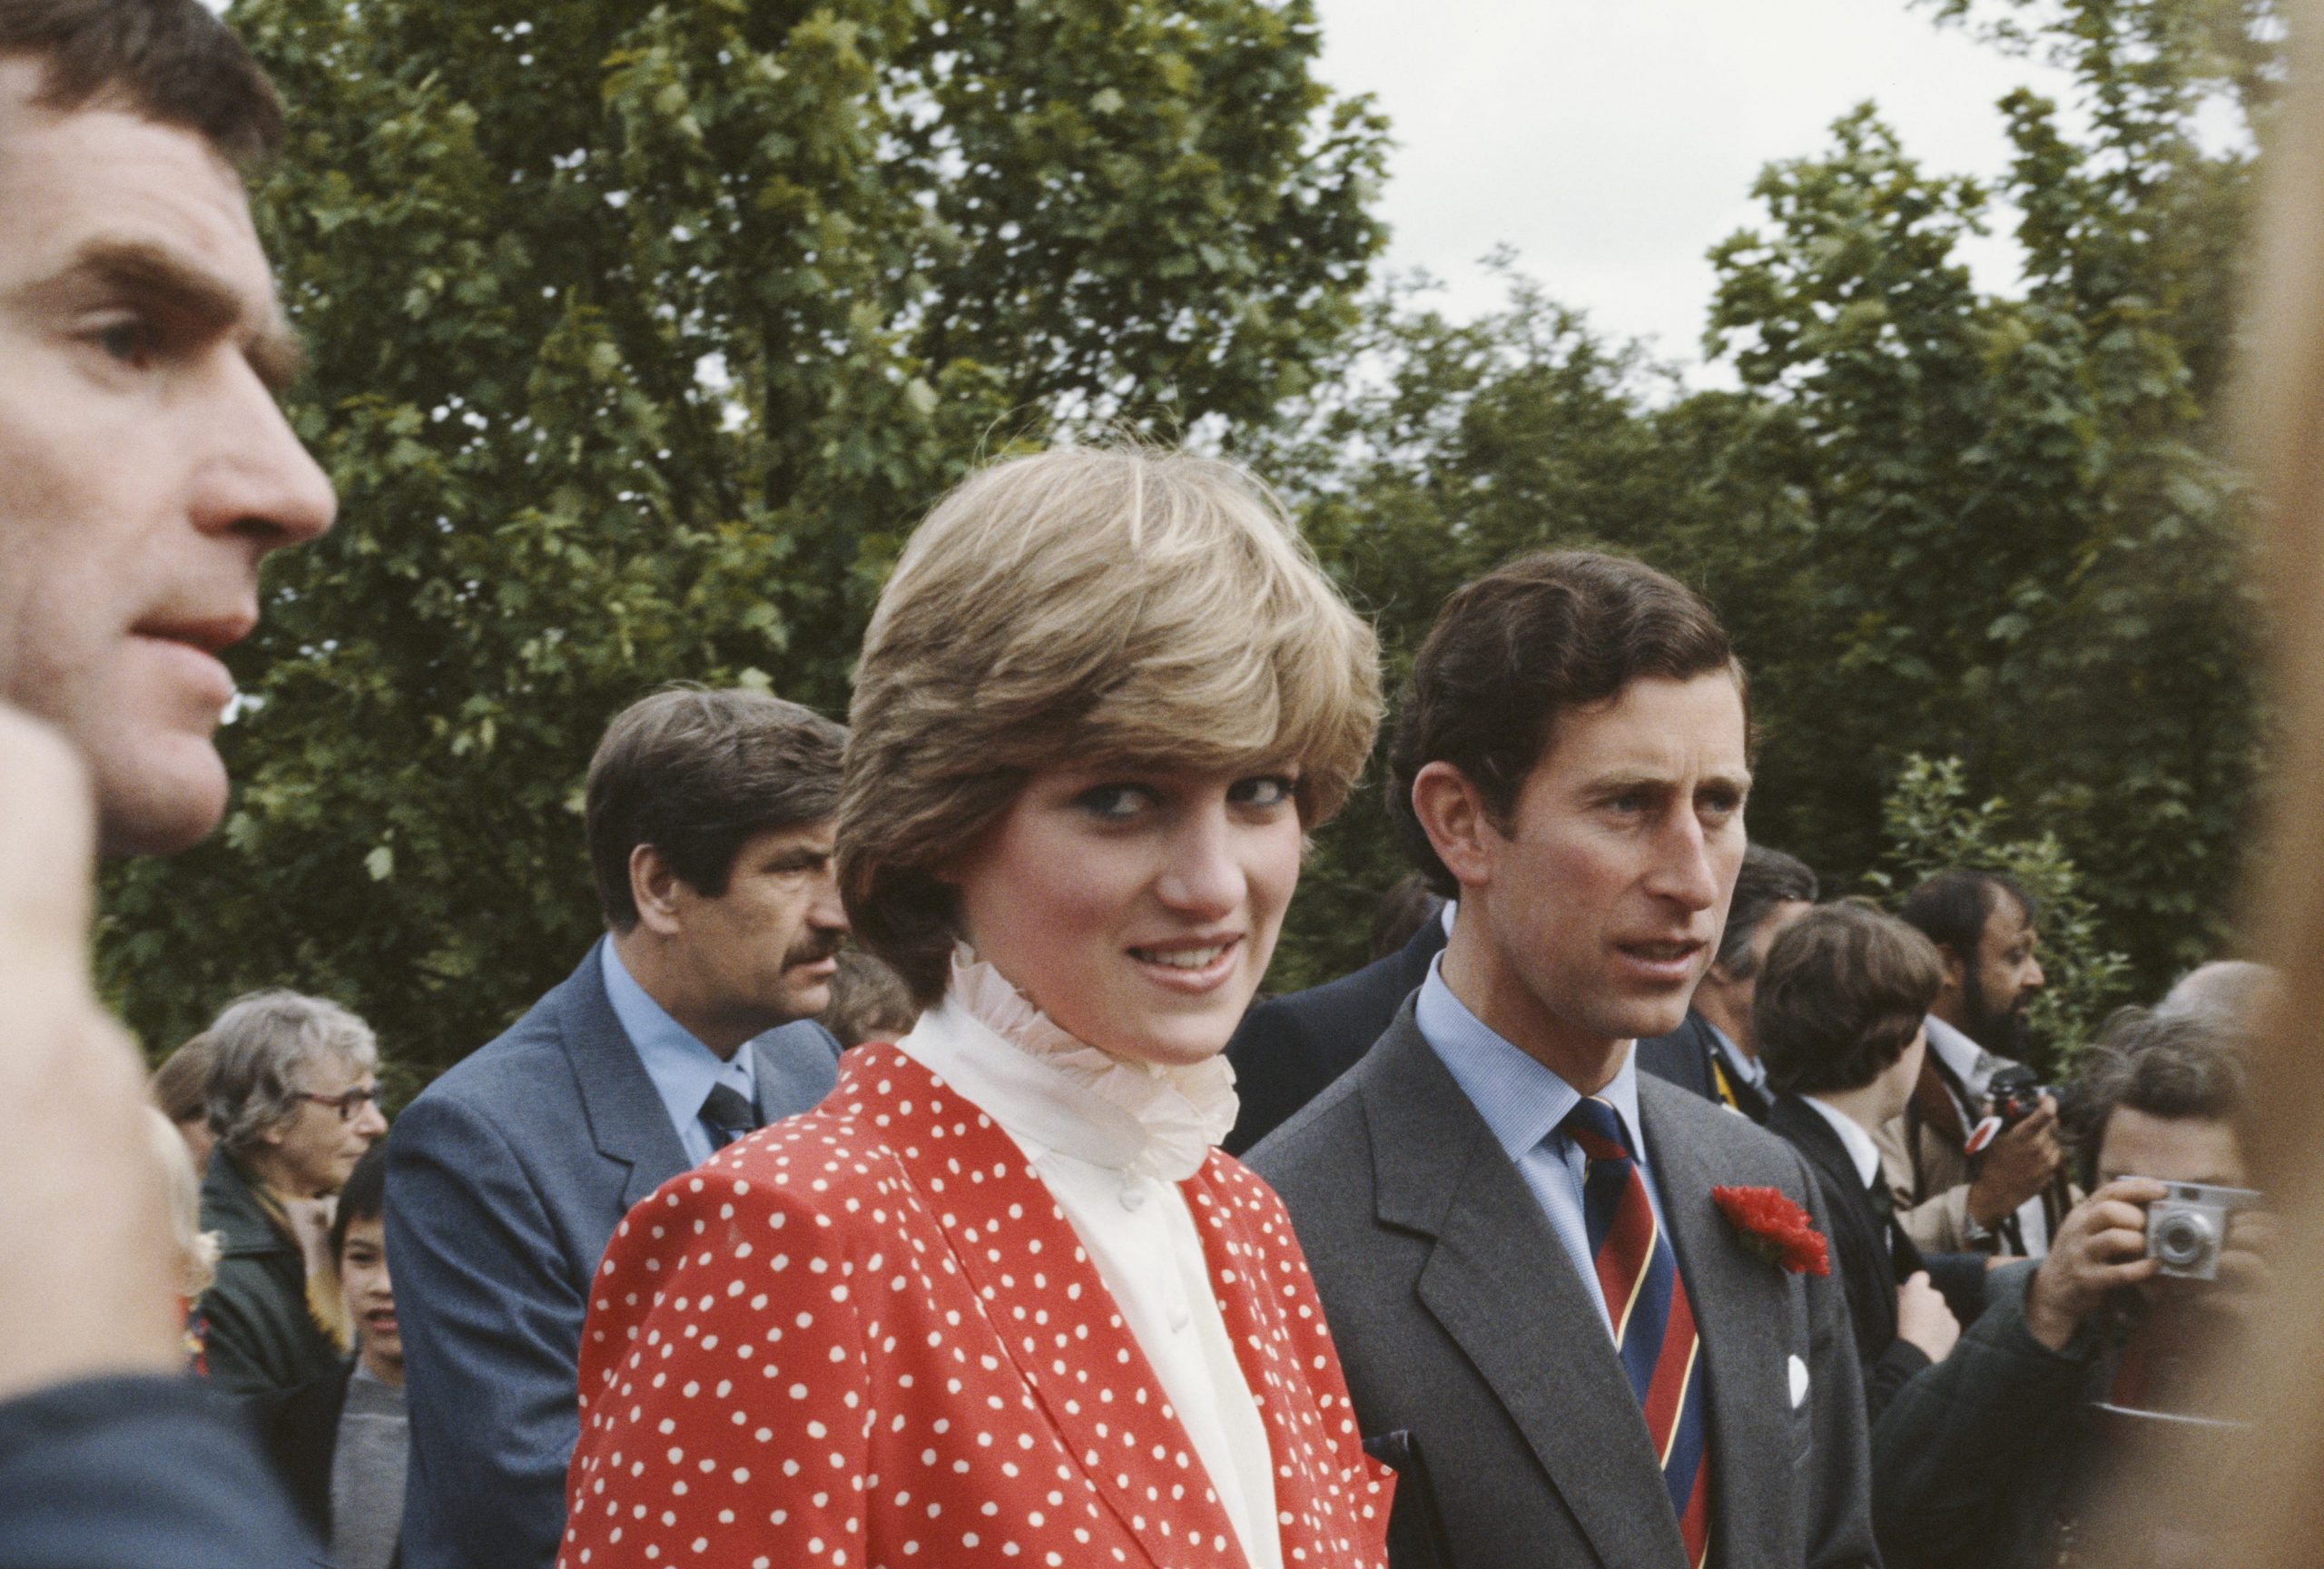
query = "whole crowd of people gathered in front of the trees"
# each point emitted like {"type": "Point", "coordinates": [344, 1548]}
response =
{"type": "Point", "coordinates": [912, 1173]}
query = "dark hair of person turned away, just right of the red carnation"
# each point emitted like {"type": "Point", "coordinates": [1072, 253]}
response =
{"type": "Point", "coordinates": [1842, 996]}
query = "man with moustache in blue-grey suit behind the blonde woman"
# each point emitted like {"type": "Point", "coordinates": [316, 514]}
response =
{"type": "Point", "coordinates": [710, 833]}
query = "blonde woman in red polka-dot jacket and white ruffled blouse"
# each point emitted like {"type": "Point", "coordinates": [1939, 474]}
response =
{"type": "Point", "coordinates": [1000, 1301]}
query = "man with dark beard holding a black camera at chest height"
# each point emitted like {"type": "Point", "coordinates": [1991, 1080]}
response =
{"type": "Point", "coordinates": [2007, 1198]}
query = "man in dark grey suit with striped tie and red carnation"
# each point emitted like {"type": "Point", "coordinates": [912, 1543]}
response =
{"type": "Point", "coordinates": [1549, 1324]}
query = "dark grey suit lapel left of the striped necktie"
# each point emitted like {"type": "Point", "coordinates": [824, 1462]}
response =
{"type": "Point", "coordinates": [1507, 1294]}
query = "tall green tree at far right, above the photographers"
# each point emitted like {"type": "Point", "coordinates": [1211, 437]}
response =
{"type": "Point", "coordinates": [2011, 533]}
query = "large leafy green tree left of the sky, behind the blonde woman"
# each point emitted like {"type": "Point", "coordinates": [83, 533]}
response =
{"type": "Point", "coordinates": [640, 338]}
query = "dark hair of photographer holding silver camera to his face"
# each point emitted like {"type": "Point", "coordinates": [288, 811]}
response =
{"type": "Point", "coordinates": [2169, 1066]}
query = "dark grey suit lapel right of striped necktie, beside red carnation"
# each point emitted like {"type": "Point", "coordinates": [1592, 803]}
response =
{"type": "Point", "coordinates": [1742, 1314]}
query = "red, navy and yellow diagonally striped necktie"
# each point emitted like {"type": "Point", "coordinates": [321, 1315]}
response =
{"type": "Point", "coordinates": [1654, 1326]}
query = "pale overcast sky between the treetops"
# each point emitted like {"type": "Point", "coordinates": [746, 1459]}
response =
{"type": "Point", "coordinates": [1614, 143]}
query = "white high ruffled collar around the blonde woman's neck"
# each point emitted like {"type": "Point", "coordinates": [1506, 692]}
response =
{"type": "Point", "coordinates": [1066, 1094]}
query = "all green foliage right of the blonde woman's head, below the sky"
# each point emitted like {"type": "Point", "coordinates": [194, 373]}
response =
{"type": "Point", "coordinates": [1939, 520]}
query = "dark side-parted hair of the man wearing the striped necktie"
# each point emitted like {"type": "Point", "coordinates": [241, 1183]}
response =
{"type": "Point", "coordinates": [1521, 647]}
